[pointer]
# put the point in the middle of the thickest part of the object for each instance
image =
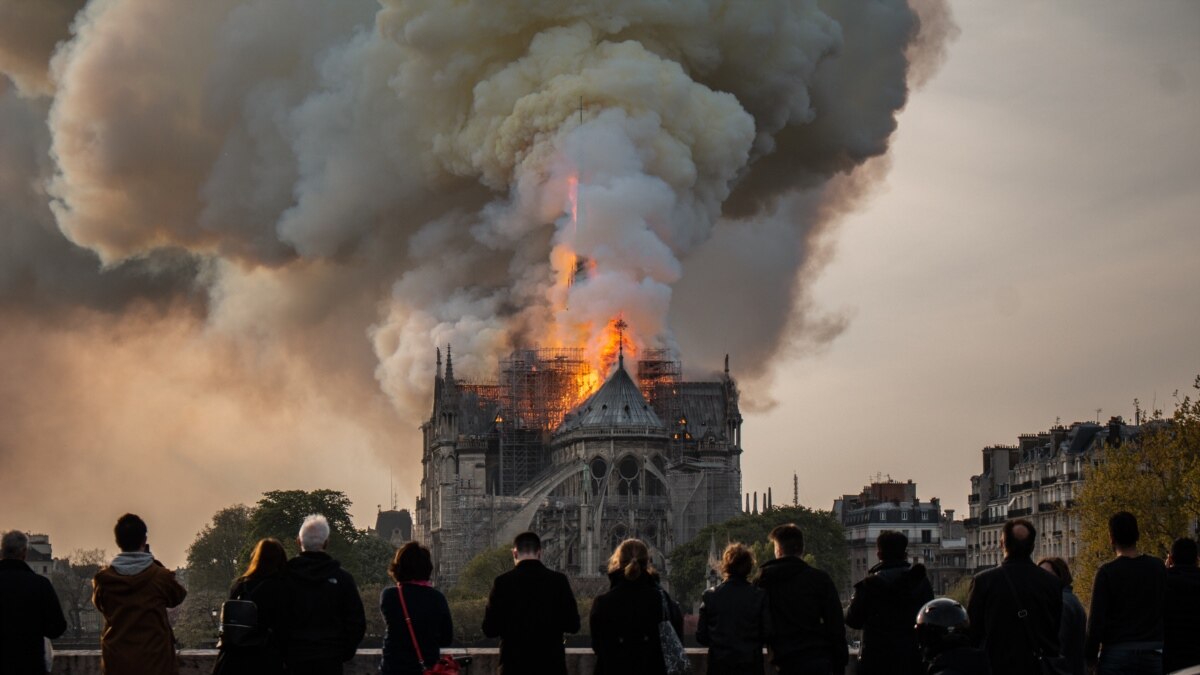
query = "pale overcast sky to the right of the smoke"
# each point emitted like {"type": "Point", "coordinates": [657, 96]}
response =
{"type": "Point", "coordinates": [1035, 255]}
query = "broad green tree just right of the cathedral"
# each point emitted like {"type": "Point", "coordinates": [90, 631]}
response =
{"type": "Point", "coordinates": [825, 547]}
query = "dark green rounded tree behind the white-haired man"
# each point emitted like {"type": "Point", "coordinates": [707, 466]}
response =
{"type": "Point", "coordinates": [280, 515]}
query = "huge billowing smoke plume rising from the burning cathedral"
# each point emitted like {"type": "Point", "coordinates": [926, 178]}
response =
{"type": "Point", "coordinates": [345, 186]}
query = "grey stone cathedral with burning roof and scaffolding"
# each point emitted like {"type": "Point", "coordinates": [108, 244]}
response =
{"type": "Point", "coordinates": [658, 459]}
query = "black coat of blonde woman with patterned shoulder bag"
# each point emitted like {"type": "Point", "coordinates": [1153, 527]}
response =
{"type": "Point", "coordinates": [625, 625]}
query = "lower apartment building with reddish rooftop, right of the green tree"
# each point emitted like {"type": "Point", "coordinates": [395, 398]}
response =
{"type": "Point", "coordinates": [935, 539]}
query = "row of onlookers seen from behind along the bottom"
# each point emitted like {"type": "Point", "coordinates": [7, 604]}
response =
{"type": "Point", "coordinates": [305, 616]}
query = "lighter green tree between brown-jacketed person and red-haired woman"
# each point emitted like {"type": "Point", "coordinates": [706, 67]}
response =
{"type": "Point", "coordinates": [221, 551]}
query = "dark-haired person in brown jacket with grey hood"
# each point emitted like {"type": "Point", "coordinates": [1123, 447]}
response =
{"type": "Point", "coordinates": [134, 594]}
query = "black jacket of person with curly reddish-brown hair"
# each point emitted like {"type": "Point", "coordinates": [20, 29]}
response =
{"type": "Point", "coordinates": [735, 623]}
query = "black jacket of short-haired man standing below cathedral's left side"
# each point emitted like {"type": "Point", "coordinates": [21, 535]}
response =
{"type": "Point", "coordinates": [529, 610]}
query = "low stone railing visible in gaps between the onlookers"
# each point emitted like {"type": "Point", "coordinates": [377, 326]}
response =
{"type": "Point", "coordinates": [484, 661]}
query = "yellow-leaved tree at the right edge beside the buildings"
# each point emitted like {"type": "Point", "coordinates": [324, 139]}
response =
{"type": "Point", "coordinates": [1156, 477]}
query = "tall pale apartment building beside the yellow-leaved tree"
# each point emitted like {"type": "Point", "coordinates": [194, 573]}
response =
{"type": "Point", "coordinates": [1039, 480]}
